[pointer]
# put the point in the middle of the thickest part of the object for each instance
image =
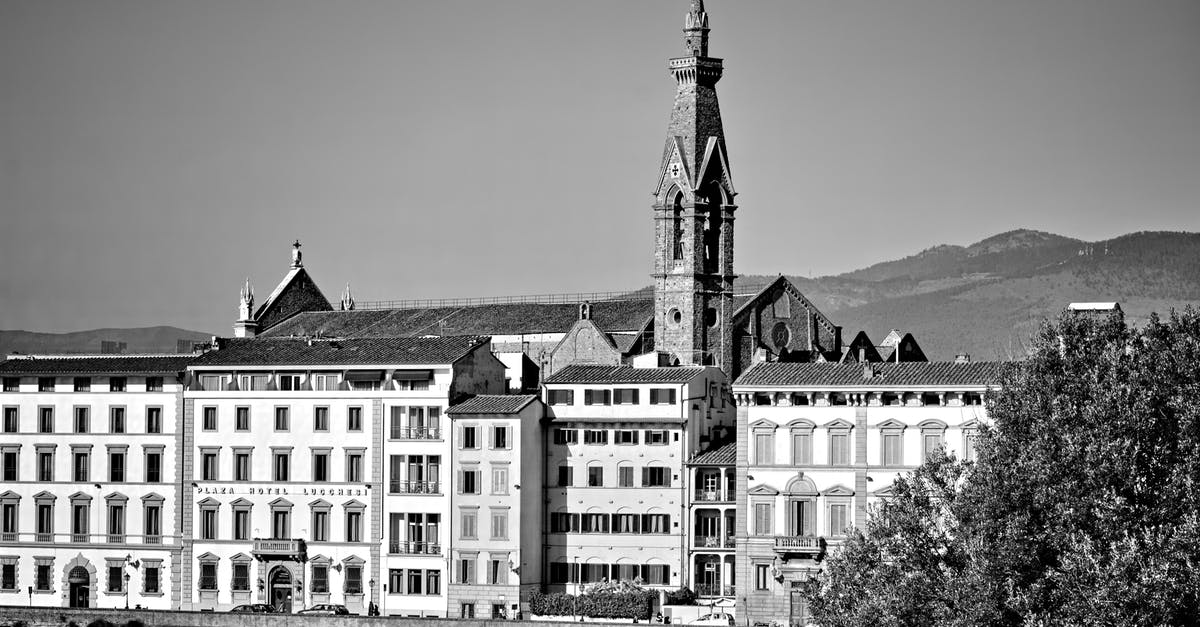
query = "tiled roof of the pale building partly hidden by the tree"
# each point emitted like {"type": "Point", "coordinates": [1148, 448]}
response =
{"type": "Point", "coordinates": [909, 374]}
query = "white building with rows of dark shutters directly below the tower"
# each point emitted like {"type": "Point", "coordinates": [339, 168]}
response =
{"type": "Point", "coordinates": [617, 488]}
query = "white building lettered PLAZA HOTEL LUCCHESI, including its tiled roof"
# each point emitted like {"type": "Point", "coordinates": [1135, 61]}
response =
{"type": "Point", "coordinates": [285, 443]}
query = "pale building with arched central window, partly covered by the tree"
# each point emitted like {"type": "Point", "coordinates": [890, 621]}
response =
{"type": "Point", "coordinates": [819, 443]}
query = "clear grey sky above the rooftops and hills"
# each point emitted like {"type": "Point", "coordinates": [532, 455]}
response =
{"type": "Point", "coordinates": [154, 154]}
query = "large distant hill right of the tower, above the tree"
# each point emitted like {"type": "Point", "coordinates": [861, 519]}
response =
{"type": "Point", "coordinates": [988, 298]}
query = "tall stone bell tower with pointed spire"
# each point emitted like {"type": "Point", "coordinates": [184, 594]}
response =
{"type": "Point", "coordinates": [694, 214]}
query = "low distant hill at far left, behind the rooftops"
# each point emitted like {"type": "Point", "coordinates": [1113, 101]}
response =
{"type": "Point", "coordinates": [145, 341]}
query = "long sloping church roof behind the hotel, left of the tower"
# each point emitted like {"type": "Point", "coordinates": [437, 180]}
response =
{"type": "Point", "coordinates": [509, 319]}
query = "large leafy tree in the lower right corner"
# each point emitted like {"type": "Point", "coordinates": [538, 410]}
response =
{"type": "Point", "coordinates": [1082, 507]}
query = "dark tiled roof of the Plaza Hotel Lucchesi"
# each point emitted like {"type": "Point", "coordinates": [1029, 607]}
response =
{"type": "Point", "coordinates": [369, 351]}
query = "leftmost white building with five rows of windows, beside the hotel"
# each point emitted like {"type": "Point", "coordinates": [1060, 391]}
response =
{"type": "Point", "coordinates": [89, 504]}
